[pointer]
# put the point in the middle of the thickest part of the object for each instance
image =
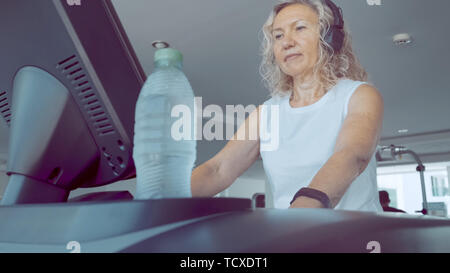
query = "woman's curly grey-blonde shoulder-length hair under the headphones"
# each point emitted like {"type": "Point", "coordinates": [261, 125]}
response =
{"type": "Point", "coordinates": [330, 66]}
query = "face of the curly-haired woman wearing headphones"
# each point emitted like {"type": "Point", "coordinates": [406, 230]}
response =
{"type": "Point", "coordinates": [296, 32]}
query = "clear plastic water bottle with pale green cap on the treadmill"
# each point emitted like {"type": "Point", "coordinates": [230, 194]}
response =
{"type": "Point", "coordinates": [163, 161]}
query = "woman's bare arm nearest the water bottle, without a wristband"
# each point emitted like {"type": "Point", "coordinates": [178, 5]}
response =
{"type": "Point", "coordinates": [218, 173]}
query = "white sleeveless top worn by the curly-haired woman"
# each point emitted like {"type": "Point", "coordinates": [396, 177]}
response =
{"type": "Point", "coordinates": [306, 139]}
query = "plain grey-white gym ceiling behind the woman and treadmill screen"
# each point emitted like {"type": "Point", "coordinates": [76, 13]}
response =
{"type": "Point", "coordinates": [220, 41]}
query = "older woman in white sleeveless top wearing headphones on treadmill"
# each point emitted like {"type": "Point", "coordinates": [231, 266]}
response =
{"type": "Point", "coordinates": [329, 118]}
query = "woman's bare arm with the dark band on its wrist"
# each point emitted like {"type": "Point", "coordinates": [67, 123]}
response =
{"type": "Point", "coordinates": [354, 147]}
